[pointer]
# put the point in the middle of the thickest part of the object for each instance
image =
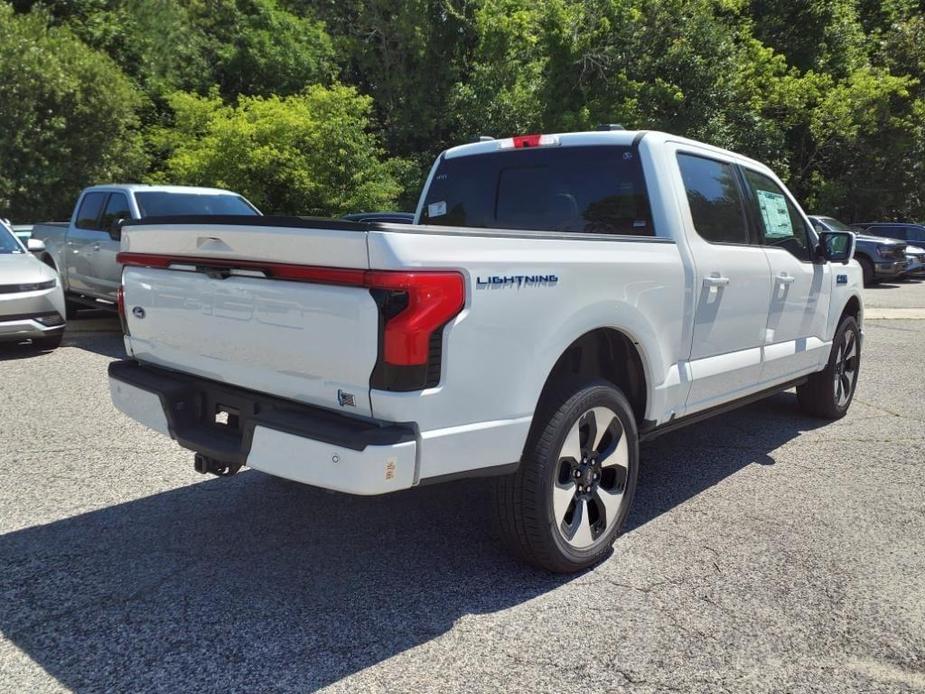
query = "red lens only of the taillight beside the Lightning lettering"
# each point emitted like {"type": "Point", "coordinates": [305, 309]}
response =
{"type": "Point", "coordinates": [433, 299]}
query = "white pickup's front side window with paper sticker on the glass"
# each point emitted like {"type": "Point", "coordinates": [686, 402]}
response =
{"type": "Point", "coordinates": [779, 221]}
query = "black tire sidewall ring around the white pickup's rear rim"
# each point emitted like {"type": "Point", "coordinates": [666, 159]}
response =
{"type": "Point", "coordinates": [597, 394]}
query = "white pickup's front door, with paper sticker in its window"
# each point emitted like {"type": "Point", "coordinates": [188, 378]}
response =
{"type": "Point", "coordinates": [800, 288]}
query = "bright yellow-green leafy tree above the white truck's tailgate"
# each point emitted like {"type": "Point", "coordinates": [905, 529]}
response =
{"type": "Point", "coordinates": [305, 154]}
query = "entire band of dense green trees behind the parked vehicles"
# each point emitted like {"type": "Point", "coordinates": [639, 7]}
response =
{"type": "Point", "coordinates": [326, 106]}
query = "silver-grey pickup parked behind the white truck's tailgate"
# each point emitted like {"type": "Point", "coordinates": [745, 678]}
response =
{"type": "Point", "coordinates": [83, 250]}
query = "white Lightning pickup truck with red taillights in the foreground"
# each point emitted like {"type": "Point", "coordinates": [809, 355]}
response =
{"type": "Point", "coordinates": [560, 299]}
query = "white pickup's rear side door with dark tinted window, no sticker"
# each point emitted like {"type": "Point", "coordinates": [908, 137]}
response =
{"type": "Point", "coordinates": [732, 281]}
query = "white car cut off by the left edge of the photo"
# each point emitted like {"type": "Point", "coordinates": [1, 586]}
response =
{"type": "Point", "coordinates": [31, 297]}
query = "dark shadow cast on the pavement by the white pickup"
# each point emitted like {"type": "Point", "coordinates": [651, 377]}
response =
{"type": "Point", "coordinates": [254, 583]}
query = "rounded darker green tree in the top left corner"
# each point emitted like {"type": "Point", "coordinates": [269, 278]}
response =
{"type": "Point", "coordinates": [69, 118]}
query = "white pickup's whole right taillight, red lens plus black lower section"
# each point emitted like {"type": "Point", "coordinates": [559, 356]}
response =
{"type": "Point", "coordinates": [413, 309]}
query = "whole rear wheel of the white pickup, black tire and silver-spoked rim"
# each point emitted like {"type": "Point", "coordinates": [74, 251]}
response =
{"type": "Point", "coordinates": [547, 516]}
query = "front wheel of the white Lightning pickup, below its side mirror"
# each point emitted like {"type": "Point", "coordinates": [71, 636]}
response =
{"type": "Point", "coordinates": [823, 396]}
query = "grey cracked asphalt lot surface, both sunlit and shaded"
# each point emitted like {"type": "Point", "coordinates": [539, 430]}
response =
{"type": "Point", "coordinates": [766, 553]}
